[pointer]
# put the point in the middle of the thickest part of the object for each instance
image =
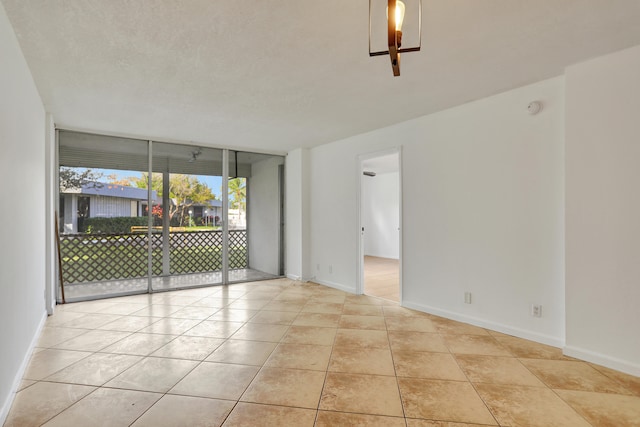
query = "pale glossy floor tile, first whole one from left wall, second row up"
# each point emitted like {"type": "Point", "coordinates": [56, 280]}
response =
{"type": "Point", "coordinates": [95, 370]}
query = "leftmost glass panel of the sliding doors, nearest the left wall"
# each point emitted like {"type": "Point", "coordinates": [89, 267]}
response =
{"type": "Point", "coordinates": [102, 225]}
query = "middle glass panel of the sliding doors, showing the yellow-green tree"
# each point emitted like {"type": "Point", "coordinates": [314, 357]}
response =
{"type": "Point", "coordinates": [189, 215]}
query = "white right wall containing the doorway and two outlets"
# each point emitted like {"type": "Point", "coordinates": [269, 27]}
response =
{"type": "Point", "coordinates": [483, 211]}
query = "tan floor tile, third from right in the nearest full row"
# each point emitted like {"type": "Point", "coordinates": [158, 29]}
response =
{"type": "Point", "coordinates": [443, 400]}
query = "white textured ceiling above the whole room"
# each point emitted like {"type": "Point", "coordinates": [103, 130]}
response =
{"type": "Point", "coordinates": [276, 75]}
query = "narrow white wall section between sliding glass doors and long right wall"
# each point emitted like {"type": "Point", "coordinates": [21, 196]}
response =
{"type": "Point", "coordinates": [297, 215]}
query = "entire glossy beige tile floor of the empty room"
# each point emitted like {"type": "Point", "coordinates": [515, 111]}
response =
{"type": "Point", "coordinates": [283, 353]}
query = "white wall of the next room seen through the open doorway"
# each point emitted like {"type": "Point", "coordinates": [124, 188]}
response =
{"type": "Point", "coordinates": [381, 215]}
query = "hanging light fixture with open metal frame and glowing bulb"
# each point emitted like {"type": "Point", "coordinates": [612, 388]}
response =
{"type": "Point", "coordinates": [394, 15]}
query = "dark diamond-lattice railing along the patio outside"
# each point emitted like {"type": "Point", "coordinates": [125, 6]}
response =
{"type": "Point", "coordinates": [90, 258]}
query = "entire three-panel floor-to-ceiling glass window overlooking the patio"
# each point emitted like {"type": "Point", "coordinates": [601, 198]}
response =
{"type": "Point", "coordinates": [139, 216]}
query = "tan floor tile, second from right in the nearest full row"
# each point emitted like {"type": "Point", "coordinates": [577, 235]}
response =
{"type": "Point", "coordinates": [530, 406]}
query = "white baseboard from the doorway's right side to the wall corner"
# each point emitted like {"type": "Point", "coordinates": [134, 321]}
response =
{"type": "Point", "coordinates": [488, 324]}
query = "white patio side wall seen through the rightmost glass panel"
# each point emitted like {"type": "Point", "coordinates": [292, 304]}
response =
{"type": "Point", "coordinates": [263, 210]}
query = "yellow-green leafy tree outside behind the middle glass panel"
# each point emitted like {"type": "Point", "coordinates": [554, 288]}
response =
{"type": "Point", "coordinates": [184, 192]}
